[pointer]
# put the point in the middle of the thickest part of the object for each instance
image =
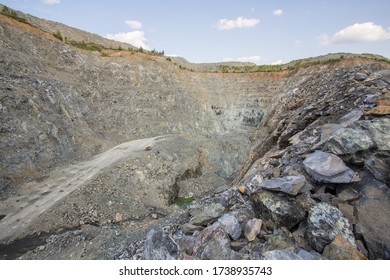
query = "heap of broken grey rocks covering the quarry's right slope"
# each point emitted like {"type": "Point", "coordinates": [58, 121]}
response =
{"type": "Point", "coordinates": [321, 192]}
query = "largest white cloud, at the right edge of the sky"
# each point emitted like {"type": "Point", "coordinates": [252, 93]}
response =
{"type": "Point", "coordinates": [357, 33]}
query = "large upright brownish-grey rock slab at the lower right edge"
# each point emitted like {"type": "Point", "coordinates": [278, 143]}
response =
{"type": "Point", "coordinates": [373, 212]}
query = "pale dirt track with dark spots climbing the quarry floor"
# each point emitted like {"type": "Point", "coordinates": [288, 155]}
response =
{"type": "Point", "coordinates": [37, 197]}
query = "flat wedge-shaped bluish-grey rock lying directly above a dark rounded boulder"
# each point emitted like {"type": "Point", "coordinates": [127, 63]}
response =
{"type": "Point", "coordinates": [289, 184]}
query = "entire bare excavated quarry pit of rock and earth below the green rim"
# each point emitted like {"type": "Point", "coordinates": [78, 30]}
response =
{"type": "Point", "coordinates": [126, 155]}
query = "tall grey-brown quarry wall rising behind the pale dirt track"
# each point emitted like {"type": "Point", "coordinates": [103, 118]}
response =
{"type": "Point", "coordinates": [61, 104]}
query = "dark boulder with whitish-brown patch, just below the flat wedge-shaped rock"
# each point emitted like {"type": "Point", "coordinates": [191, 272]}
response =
{"type": "Point", "coordinates": [277, 208]}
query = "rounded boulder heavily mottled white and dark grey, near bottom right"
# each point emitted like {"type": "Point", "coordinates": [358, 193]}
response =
{"type": "Point", "coordinates": [324, 223]}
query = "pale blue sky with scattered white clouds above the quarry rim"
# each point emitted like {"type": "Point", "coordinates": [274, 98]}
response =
{"type": "Point", "coordinates": [261, 31]}
